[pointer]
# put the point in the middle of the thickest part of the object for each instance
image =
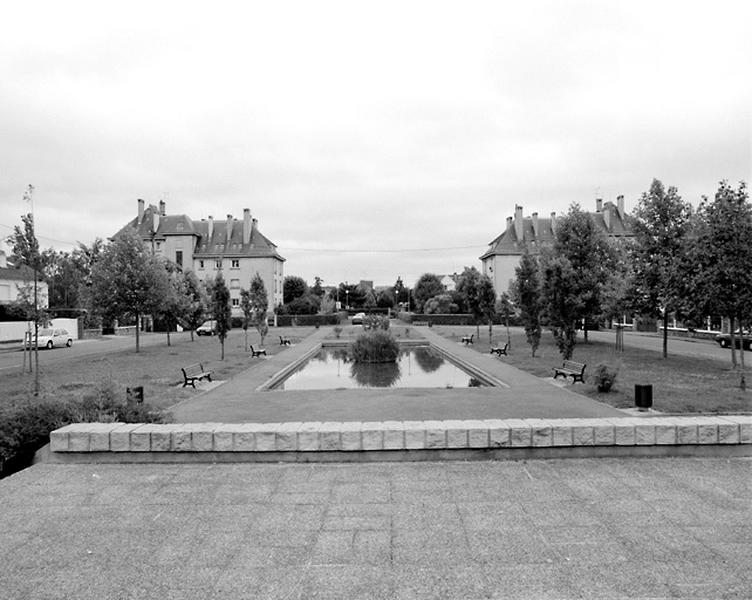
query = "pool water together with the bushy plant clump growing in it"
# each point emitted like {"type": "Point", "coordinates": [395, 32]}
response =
{"type": "Point", "coordinates": [376, 360]}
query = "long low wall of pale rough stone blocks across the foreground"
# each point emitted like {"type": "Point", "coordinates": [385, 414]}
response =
{"type": "Point", "coordinates": [403, 435]}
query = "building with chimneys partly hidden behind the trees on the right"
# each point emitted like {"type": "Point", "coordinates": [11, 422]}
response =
{"type": "Point", "coordinates": [531, 233]}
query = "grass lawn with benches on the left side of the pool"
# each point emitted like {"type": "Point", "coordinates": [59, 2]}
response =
{"type": "Point", "coordinates": [156, 367]}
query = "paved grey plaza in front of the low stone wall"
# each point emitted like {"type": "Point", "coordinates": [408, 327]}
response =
{"type": "Point", "coordinates": [575, 528]}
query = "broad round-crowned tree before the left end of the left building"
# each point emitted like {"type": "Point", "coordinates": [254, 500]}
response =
{"type": "Point", "coordinates": [128, 281]}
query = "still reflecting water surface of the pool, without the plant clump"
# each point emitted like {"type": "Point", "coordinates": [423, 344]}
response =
{"type": "Point", "coordinates": [417, 367]}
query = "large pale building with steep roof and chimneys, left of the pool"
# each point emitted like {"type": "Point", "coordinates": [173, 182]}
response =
{"type": "Point", "coordinates": [235, 247]}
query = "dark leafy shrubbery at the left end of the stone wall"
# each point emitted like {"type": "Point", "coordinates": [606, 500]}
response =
{"type": "Point", "coordinates": [26, 425]}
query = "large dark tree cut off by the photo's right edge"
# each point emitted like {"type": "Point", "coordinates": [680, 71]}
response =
{"type": "Point", "coordinates": [721, 255]}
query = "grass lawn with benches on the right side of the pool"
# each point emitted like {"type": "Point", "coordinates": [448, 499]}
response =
{"type": "Point", "coordinates": [681, 384]}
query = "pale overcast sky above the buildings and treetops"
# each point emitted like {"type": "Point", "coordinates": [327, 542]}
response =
{"type": "Point", "coordinates": [370, 140]}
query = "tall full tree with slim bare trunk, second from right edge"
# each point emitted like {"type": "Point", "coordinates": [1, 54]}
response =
{"type": "Point", "coordinates": [661, 224]}
